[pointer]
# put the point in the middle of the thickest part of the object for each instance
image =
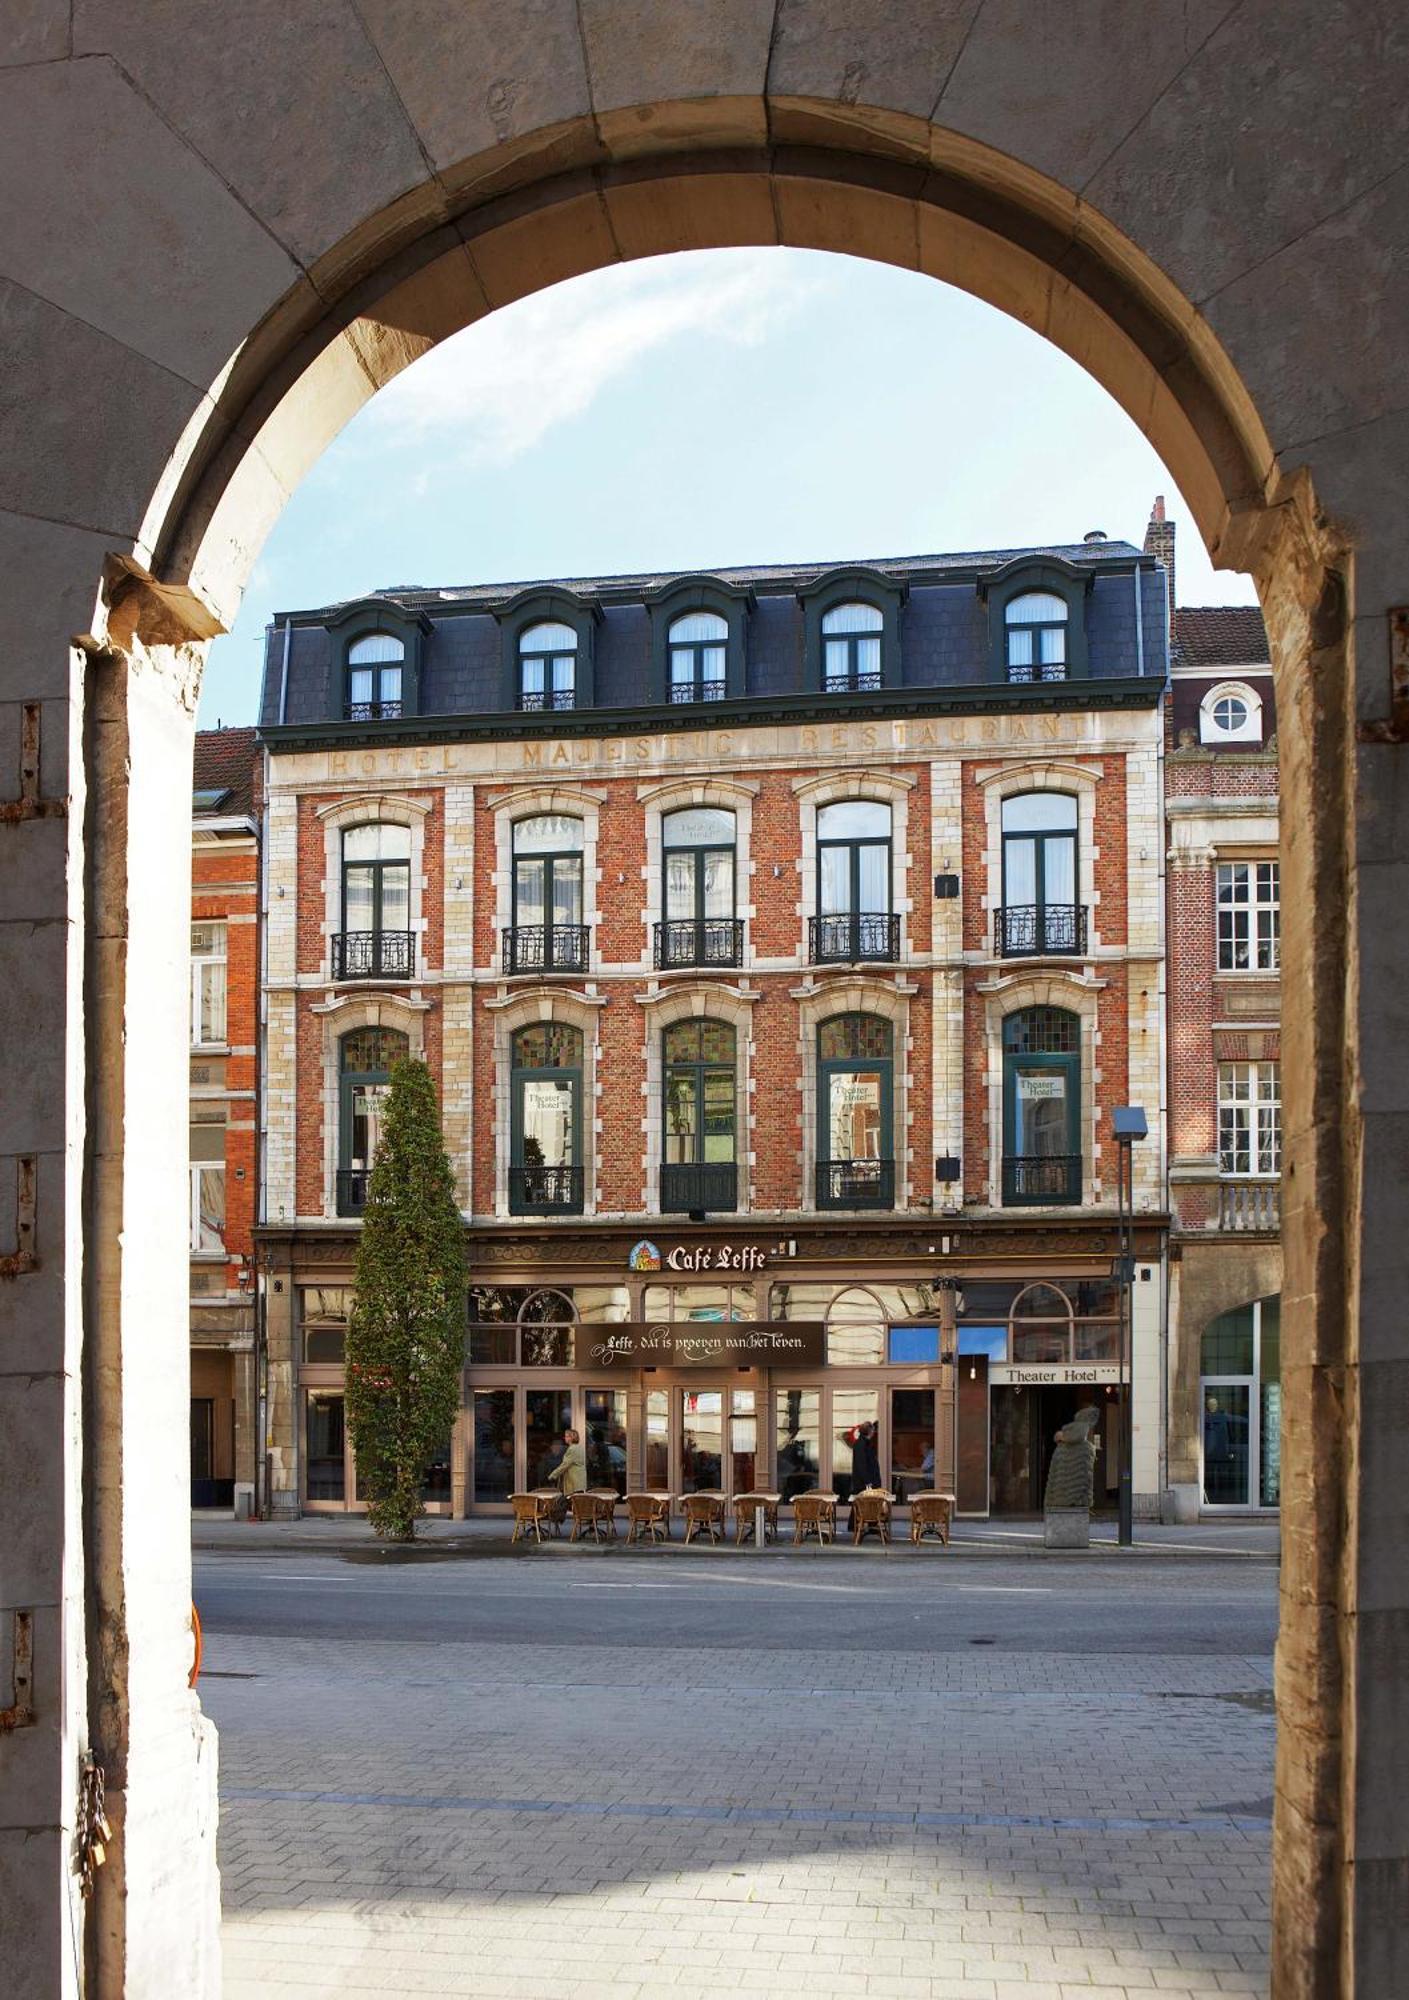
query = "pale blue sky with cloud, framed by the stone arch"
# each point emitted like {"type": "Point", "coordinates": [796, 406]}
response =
{"type": "Point", "coordinates": [691, 413]}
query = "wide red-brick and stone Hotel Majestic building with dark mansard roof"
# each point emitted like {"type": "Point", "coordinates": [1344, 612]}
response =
{"type": "Point", "coordinates": [782, 943]}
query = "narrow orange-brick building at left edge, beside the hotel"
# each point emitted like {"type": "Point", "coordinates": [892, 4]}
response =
{"type": "Point", "coordinates": [225, 983]}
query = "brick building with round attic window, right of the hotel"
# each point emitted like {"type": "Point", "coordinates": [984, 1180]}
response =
{"type": "Point", "coordinates": [1224, 1057]}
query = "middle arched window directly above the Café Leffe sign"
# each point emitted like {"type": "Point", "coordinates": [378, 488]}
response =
{"type": "Point", "coordinates": [699, 1123]}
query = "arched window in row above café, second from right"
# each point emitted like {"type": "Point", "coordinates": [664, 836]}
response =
{"type": "Point", "coordinates": [856, 1151]}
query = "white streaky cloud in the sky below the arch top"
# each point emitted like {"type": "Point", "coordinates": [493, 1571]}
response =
{"type": "Point", "coordinates": [503, 385]}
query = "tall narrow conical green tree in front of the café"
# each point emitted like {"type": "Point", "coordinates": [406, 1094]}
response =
{"type": "Point", "coordinates": [407, 1331]}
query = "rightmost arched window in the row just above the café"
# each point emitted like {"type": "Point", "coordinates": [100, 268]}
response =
{"type": "Point", "coordinates": [1042, 1107]}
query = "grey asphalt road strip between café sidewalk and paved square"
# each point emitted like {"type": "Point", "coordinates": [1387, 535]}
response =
{"type": "Point", "coordinates": [1174, 1609]}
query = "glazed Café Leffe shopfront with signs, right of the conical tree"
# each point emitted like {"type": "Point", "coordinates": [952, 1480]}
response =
{"type": "Point", "coordinates": [710, 1367]}
